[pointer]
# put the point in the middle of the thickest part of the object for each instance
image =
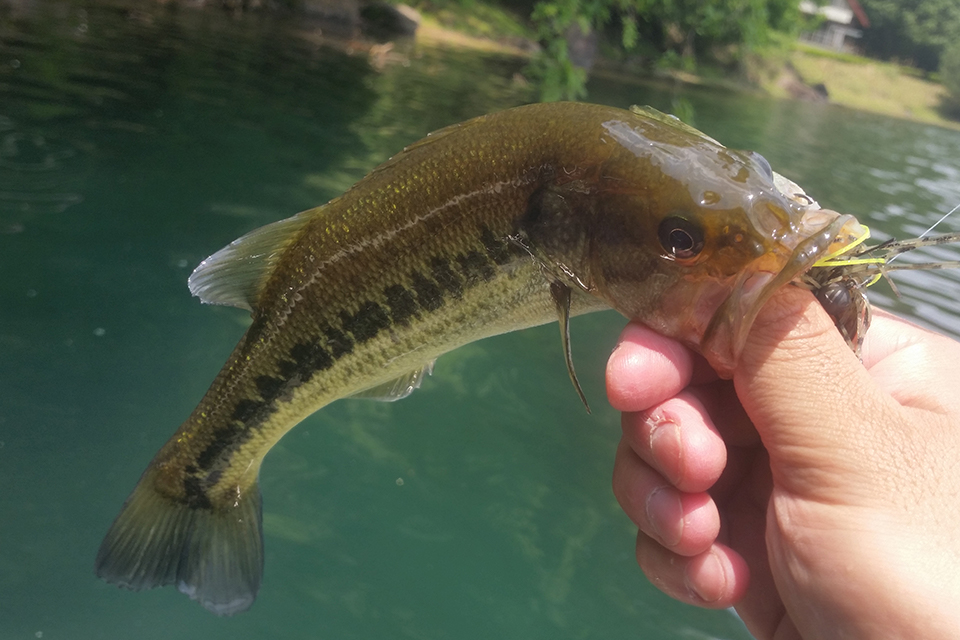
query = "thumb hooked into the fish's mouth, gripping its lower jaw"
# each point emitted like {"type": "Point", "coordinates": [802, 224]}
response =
{"type": "Point", "coordinates": [813, 404]}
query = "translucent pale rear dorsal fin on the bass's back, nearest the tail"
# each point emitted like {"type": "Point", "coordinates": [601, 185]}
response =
{"type": "Point", "coordinates": [235, 275]}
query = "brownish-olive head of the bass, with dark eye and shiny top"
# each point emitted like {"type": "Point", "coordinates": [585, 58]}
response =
{"type": "Point", "coordinates": [701, 237]}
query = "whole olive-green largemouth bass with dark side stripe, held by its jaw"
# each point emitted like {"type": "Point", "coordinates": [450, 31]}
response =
{"type": "Point", "coordinates": [500, 223]}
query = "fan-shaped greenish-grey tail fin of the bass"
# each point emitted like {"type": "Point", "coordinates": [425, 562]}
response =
{"type": "Point", "coordinates": [215, 556]}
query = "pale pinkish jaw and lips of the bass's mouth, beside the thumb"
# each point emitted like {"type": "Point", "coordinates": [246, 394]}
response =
{"type": "Point", "coordinates": [821, 231]}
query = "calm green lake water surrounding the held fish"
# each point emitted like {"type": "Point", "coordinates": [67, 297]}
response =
{"type": "Point", "coordinates": [135, 142]}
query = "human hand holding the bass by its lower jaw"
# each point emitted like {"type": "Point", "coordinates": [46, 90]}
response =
{"type": "Point", "coordinates": [818, 496]}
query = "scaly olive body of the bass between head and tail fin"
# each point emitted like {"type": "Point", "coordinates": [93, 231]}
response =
{"type": "Point", "coordinates": [372, 286]}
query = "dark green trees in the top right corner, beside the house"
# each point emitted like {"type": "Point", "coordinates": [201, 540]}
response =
{"type": "Point", "coordinates": [911, 31]}
